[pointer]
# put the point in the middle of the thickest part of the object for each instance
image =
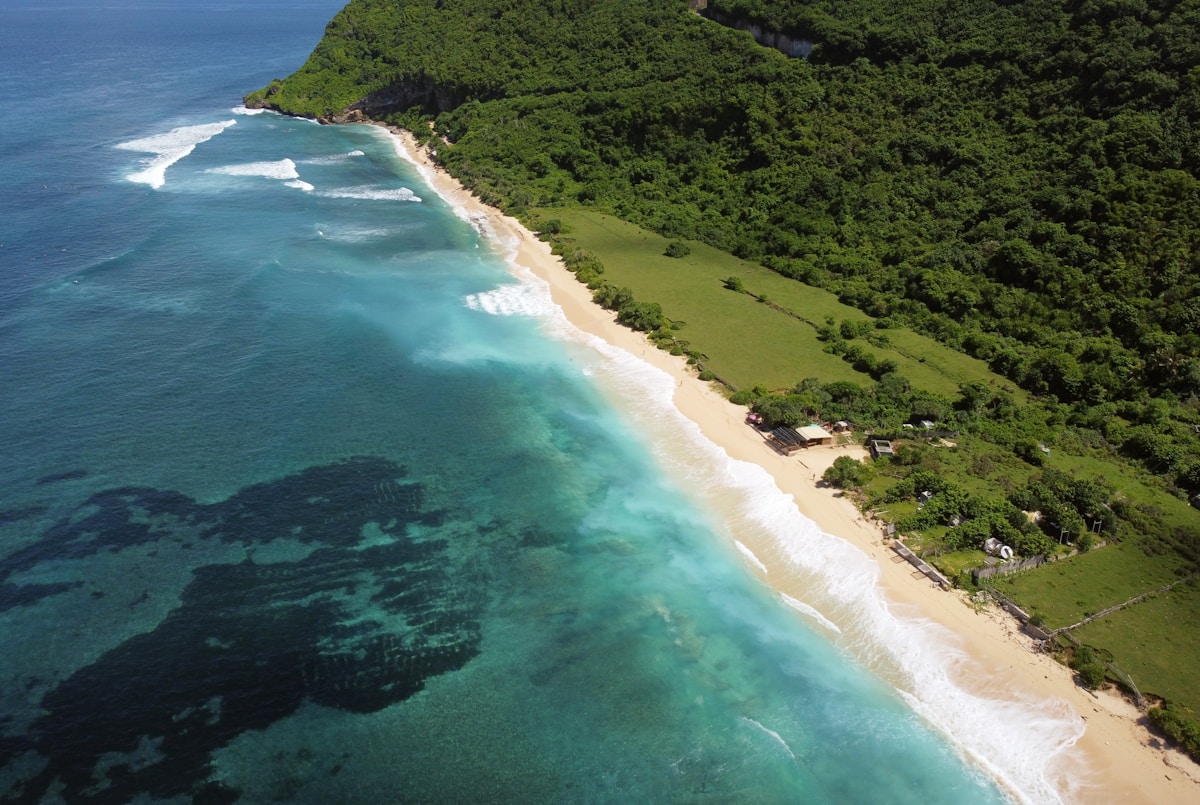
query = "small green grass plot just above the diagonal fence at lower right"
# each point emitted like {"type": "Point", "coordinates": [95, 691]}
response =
{"type": "Point", "coordinates": [1069, 591]}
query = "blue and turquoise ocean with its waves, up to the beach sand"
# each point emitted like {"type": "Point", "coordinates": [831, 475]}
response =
{"type": "Point", "coordinates": [310, 496]}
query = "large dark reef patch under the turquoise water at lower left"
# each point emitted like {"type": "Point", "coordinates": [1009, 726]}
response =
{"type": "Point", "coordinates": [352, 626]}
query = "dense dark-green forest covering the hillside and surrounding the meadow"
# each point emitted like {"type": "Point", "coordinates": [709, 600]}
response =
{"type": "Point", "coordinates": [1017, 181]}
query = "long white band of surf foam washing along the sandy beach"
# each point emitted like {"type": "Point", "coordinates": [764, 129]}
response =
{"type": "Point", "coordinates": [1023, 744]}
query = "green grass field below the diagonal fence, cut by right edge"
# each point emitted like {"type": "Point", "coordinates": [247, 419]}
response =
{"type": "Point", "coordinates": [1155, 642]}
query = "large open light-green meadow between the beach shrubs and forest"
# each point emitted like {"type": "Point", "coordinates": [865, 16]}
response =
{"type": "Point", "coordinates": [748, 343]}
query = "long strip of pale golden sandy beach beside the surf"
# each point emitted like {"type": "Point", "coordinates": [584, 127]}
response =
{"type": "Point", "coordinates": [1118, 760]}
